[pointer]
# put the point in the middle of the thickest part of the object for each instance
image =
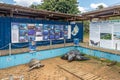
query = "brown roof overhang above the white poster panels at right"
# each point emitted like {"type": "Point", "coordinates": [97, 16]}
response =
{"type": "Point", "coordinates": [103, 13]}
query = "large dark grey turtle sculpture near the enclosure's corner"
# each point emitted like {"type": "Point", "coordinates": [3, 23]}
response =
{"type": "Point", "coordinates": [74, 55]}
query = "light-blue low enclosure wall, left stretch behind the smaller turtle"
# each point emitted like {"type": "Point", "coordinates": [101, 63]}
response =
{"type": "Point", "coordinates": [13, 60]}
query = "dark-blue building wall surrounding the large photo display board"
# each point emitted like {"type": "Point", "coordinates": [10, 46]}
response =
{"type": "Point", "coordinates": [5, 31]}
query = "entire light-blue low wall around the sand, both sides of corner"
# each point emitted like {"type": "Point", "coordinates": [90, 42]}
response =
{"type": "Point", "coordinates": [17, 59]}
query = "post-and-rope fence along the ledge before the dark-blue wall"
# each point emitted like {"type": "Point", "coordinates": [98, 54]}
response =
{"type": "Point", "coordinates": [17, 48]}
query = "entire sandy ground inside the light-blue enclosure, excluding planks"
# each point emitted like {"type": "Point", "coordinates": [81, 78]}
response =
{"type": "Point", "coordinates": [51, 71]}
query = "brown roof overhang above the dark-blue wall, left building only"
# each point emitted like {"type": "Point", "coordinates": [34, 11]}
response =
{"type": "Point", "coordinates": [19, 11]}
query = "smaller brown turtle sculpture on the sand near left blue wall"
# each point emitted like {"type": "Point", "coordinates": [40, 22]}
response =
{"type": "Point", "coordinates": [34, 63]}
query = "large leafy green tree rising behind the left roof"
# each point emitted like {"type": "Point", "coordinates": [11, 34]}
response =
{"type": "Point", "coordinates": [64, 6]}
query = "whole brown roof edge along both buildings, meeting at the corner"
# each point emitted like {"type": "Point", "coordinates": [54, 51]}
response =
{"type": "Point", "coordinates": [19, 11]}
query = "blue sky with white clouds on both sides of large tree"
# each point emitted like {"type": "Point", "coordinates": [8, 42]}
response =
{"type": "Point", "coordinates": [83, 5]}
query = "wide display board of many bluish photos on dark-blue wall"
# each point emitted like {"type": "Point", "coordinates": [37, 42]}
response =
{"type": "Point", "coordinates": [27, 32]}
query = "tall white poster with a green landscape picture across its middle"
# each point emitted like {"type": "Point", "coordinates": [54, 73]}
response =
{"type": "Point", "coordinates": [106, 29]}
